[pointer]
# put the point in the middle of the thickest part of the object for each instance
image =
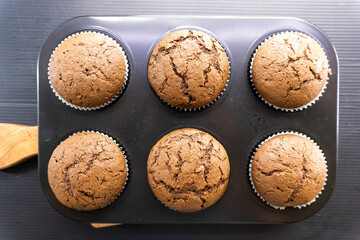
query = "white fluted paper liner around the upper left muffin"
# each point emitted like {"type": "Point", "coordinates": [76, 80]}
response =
{"type": "Point", "coordinates": [110, 101]}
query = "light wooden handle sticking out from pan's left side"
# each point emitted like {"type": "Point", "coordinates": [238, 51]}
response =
{"type": "Point", "coordinates": [17, 143]}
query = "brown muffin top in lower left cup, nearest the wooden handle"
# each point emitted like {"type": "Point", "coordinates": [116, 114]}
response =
{"type": "Point", "coordinates": [87, 171]}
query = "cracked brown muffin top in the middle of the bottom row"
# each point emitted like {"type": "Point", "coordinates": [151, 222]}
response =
{"type": "Point", "coordinates": [188, 170]}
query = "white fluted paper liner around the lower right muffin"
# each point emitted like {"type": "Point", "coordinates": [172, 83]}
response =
{"type": "Point", "coordinates": [250, 168]}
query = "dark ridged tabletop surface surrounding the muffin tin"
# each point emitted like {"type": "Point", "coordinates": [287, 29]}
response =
{"type": "Point", "coordinates": [24, 26]}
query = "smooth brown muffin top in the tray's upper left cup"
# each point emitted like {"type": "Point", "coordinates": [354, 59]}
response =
{"type": "Point", "coordinates": [87, 70]}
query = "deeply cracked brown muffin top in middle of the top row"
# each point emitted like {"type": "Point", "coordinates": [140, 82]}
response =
{"type": "Point", "coordinates": [188, 69]}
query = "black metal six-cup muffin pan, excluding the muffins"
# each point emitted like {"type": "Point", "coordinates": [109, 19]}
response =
{"type": "Point", "coordinates": [139, 118]}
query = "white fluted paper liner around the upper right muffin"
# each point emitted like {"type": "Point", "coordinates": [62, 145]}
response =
{"type": "Point", "coordinates": [272, 105]}
